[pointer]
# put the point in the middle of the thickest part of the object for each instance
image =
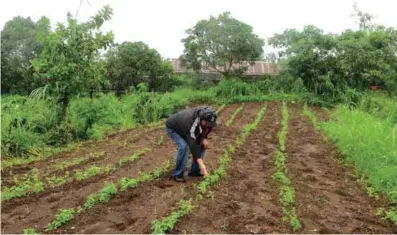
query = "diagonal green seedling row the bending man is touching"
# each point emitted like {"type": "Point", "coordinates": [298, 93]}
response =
{"type": "Point", "coordinates": [164, 225]}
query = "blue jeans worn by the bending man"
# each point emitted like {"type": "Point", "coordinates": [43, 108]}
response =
{"type": "Point", "coordinates": [182, 154]}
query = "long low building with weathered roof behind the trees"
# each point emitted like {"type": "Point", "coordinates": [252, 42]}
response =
{"type": "Point", "coordinates": [257, 69]}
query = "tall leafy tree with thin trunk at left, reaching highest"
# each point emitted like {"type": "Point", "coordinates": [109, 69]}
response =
{"type": "Point", "coordinates": [70, 62]}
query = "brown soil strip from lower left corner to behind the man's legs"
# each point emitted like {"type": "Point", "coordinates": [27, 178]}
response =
{"type": "Point", "coordinates": [40, 208]}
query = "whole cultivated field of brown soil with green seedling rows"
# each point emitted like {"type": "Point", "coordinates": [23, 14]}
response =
{"type": "Point", "coordinates": [271, 171]}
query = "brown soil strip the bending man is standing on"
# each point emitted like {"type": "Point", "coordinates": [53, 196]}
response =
{"type": "Point", "coordinates": [134, 210]}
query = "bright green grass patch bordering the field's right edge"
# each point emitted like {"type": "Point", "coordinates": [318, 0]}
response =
{"type": "Point", "coordinates": [368, 142]}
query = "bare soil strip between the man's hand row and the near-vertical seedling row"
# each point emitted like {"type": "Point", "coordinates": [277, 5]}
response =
{"type": "Point", "coordinates": [247, 201]}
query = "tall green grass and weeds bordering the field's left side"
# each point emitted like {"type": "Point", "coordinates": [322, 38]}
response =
{"type": "Point", "coordinates": [30, 125]}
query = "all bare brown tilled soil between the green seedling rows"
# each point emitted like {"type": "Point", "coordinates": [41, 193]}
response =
{"type": "Point", "coordinates": [328, 197]}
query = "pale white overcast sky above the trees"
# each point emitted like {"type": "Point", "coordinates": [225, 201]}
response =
{"type": "Point", "coordinates": [162, 24]}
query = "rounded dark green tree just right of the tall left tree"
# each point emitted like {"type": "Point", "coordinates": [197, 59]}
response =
{"type": "Point", "coordinates": [131, 63]}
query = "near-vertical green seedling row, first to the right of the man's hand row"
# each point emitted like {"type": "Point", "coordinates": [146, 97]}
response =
{"type": "Point", "coordinates": [287, 191]}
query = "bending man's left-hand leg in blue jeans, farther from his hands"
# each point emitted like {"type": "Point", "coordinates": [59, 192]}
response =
{"type": "Point", "coordinates": [181, 154]}
